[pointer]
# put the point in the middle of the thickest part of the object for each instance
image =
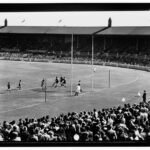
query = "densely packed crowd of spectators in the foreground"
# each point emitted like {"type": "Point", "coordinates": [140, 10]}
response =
{"type": "Point", "coordinates": [129, 122]}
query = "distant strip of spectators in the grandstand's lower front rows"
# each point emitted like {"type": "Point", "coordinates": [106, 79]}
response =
{"type": "Point", "coordinates": [142, 60]}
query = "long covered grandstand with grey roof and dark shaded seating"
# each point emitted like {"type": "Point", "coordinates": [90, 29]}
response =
{"type": "Point", "coordinates": [115, 44]}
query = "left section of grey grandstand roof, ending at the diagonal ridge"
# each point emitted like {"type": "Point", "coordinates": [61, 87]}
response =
{"type": "Point", "coordinates": [49, 30]}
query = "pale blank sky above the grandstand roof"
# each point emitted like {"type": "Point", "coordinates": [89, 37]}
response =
{"type": "Point", "coordinates": [126, 18]}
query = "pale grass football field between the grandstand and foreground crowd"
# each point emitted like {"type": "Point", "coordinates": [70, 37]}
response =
{"type": "Point", "coordinates": [30, 100]}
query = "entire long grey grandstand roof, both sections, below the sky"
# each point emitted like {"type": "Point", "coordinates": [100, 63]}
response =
{"type": "Point", "coordinates": [75, 30]}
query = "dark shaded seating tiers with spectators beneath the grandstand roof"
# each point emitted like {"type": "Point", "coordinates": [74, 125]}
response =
{"type": "Point", "coordinates": [125, 50]}
